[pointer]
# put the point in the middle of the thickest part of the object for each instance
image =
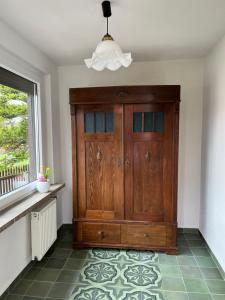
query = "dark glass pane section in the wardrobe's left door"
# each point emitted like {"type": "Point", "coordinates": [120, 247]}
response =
{"type": "Point", "coordinates": [98, 122]}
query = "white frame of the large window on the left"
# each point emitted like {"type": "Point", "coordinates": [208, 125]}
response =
{"type": "Point", "coordinates": [18, 194]}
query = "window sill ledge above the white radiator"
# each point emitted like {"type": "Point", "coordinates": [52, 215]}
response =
{"type": "Point", "coordinates": [12, 214]}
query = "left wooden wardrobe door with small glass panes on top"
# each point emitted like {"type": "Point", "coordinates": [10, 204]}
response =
{"type": "Point", "coordinates": [99, 161]}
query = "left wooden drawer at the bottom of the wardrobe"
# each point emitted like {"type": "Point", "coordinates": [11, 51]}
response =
{"type": "Point", "coordinates": [101, 233]}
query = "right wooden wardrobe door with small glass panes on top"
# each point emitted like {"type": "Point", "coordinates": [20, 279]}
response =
{"type": "Point", "coordinates": [149, 162]}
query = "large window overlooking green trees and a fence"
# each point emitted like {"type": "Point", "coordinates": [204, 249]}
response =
{"type": "Point", "coordinates": [18, 146]}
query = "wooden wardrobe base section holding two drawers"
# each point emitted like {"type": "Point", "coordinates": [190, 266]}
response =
{"type": "Point", "coordinates": [140, 236]}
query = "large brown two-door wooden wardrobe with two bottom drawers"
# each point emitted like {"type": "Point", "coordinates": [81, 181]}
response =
{"type": "Point", "coordinates": [125, 160]}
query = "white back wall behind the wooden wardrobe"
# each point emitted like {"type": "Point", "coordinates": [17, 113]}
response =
{"type": "Point", "coordinates": [187, 73]}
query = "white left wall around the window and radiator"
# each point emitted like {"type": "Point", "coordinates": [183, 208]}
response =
{"type": "Point", "coordinates": [21, 57]}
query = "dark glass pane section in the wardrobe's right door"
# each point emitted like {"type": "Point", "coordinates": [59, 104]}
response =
{"type": "Point", "coordinates": [152, 121]}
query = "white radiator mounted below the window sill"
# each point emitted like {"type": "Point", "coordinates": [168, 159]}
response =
{"type": "Point", "coordinates": [43, 229]}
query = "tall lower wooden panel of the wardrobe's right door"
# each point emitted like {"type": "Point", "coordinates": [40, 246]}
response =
{"type": "Point", "coordinates": [148, 178]}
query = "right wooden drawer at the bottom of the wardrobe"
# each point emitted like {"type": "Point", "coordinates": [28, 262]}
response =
{"type": "Point", "coordinates": [148, 235]}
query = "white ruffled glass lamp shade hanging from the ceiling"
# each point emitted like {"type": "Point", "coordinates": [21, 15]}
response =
{"type": "Point", "coordinates": [108, 54]}
